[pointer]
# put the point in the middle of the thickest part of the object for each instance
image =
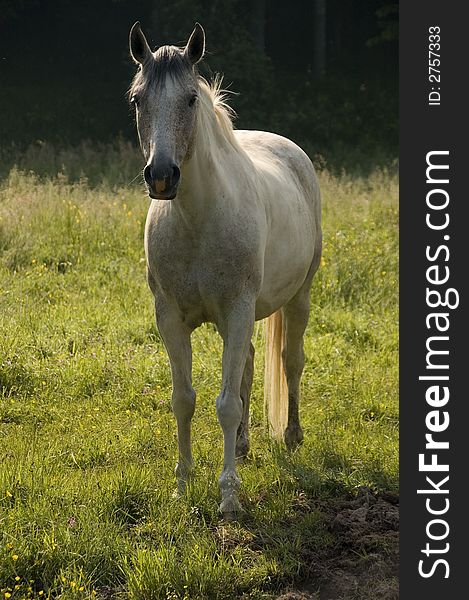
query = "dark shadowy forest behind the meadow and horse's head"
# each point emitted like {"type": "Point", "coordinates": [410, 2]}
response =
{"type": "Point", "coordinates": [322, 72]}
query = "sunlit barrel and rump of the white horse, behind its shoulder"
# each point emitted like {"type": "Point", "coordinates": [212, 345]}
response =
{"type": "Point", "coordinates": [290, 193]}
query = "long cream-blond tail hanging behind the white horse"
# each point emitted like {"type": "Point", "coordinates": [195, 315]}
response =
{"type": "Point", "coordinates": [275, 382]}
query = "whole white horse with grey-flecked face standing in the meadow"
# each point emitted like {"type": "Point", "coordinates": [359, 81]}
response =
{"type": "Point", "coordinates": [233, 235]}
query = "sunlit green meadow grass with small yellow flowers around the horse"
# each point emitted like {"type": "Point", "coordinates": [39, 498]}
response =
{"type": "Point", "coordinates": [87, 438]}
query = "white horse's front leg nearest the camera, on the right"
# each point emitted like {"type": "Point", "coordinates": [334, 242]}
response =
{"type": "Point", "coordinates": [236, 331]}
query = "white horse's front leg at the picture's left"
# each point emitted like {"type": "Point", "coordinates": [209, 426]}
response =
{"type": "Point", "coordinates": [176, 337]}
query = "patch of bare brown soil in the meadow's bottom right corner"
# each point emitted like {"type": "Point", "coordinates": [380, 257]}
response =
{"type": "Point", "coordinates": [363, 562]}
